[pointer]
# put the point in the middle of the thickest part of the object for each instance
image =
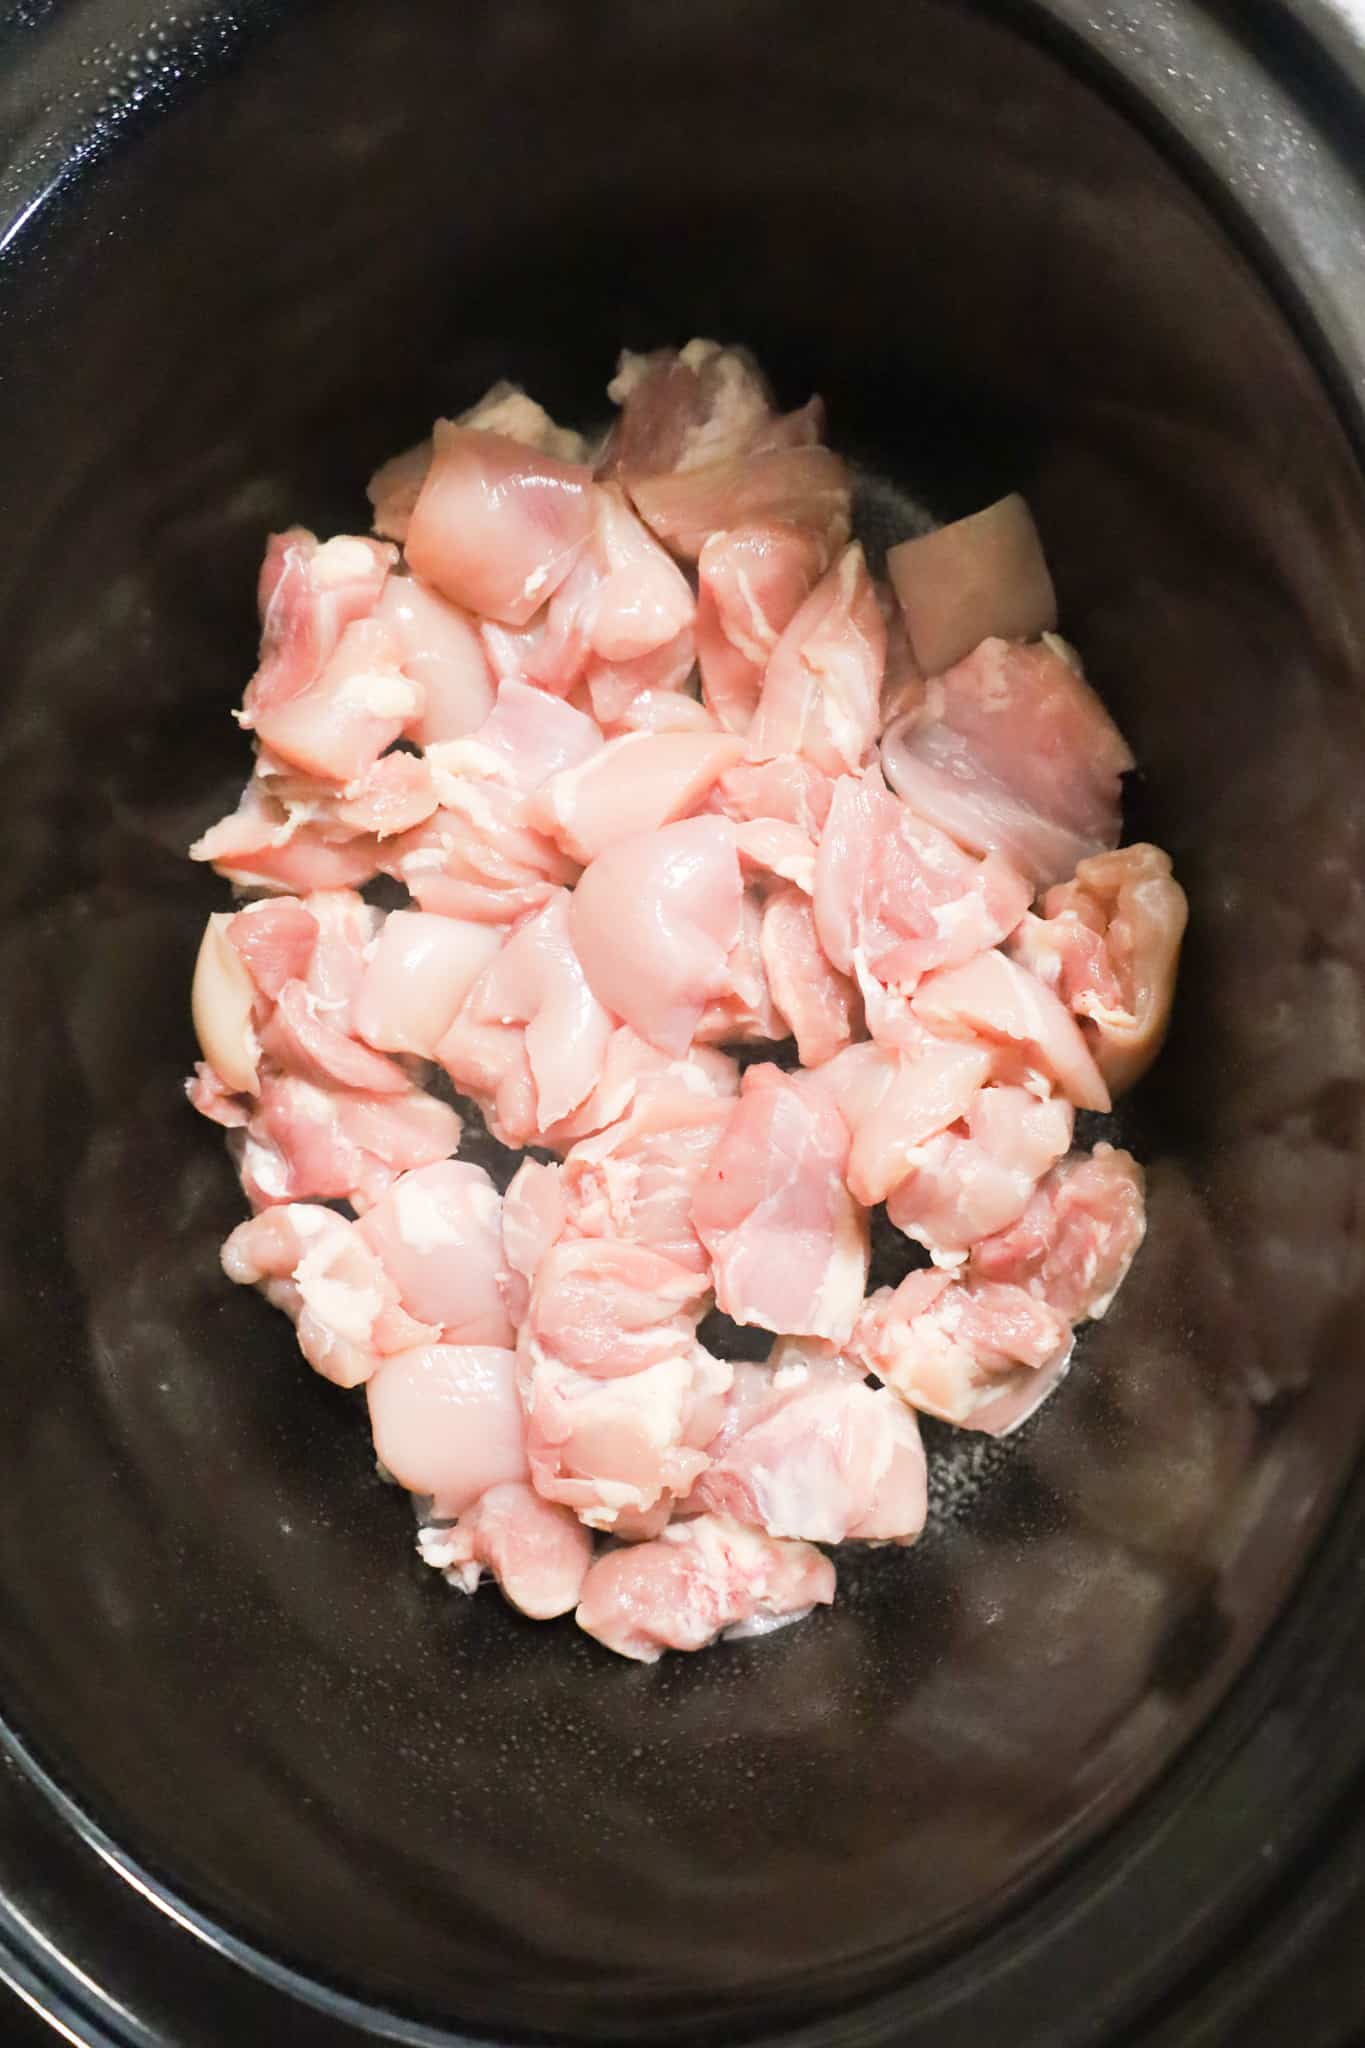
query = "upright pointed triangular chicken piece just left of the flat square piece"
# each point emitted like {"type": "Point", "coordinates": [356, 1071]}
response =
{"type": "Point", "coordinates": [824, 683]}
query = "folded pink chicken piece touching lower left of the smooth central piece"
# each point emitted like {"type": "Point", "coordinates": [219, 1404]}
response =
{"type": "Point", "coordinates": [531, 1035]}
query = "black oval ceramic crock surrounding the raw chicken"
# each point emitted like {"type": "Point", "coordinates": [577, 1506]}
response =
{"type": "Point", "coordinates": [1086, 1766]}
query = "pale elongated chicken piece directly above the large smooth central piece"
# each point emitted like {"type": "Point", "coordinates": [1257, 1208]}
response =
{"type": "Point", "coordinates": [635, 783]}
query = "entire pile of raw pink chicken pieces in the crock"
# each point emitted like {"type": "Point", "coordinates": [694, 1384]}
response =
{"type": "Point", "coordinates": [662, 771]}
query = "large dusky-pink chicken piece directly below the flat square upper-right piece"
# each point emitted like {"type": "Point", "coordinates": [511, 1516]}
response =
{"type": "Point", "coordinates": [1014, 755]}
